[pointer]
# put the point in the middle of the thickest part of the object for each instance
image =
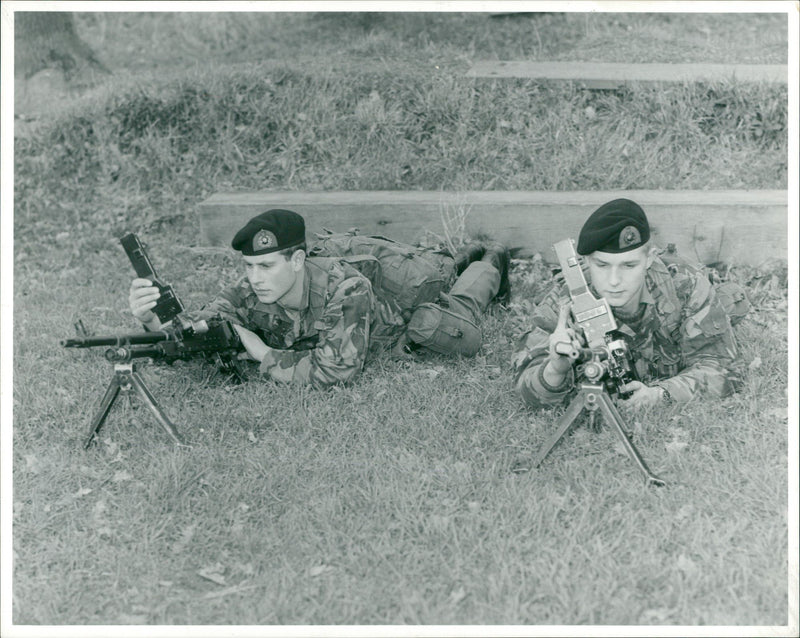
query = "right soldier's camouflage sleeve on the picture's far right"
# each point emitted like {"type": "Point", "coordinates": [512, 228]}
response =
{"type": "Point", "coordinates": [708, 345]}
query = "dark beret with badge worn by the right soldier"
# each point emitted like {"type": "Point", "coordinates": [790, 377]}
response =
{"type": "Point", "coordinates": [615, 227]}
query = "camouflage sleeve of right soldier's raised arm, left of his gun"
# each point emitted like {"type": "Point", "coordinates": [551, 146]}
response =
{"type": "Point", "coordinates": [530, 359]}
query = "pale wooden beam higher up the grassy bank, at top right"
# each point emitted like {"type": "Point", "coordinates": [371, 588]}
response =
{"type": "Point", "coordinates": [600, 75]}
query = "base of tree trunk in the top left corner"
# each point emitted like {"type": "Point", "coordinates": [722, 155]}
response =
{"type": "Point", "coordinates": [47, 40]}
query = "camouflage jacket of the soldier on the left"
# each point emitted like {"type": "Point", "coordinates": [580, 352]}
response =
{"type": "Point", "coordinates": [327, 340]}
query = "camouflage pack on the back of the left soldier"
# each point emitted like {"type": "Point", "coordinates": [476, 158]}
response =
{"type": "Point", "coordinates": [408, 275]}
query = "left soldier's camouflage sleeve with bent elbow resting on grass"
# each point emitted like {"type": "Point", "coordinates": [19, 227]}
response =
{"type": "Point", "coordinates": [343, 341]}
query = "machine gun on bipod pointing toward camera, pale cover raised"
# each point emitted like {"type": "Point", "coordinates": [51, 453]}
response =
{"type": "Point", "coordinates": [604, 365]}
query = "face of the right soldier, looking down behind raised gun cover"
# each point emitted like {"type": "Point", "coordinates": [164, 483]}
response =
{"type": "Point", "coordinates": [619, 277]}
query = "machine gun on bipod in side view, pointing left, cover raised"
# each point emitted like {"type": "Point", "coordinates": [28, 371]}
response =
{"type": "Point", "coordinates": [213, 340]}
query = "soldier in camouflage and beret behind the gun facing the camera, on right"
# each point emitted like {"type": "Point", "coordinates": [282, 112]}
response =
{"type": "Point", "coordinates": [678, 325]}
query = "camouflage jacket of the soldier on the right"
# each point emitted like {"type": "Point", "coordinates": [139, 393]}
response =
{"type": "Point", "coordinates": [682, 338]}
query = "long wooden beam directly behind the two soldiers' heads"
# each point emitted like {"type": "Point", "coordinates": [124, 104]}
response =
{"type": "Point", "coordinates": [733, 226]}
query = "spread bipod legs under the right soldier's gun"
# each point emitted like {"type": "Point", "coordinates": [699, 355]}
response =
{"type": "Point", "coordinates": [593, 397]}
